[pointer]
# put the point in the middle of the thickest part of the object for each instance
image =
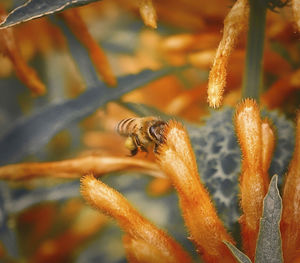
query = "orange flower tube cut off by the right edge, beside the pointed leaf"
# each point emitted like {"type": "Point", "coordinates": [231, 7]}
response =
{"type": "Point", "coordinates": [290, 228]}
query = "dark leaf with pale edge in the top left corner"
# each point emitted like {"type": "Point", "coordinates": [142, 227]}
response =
{"type": "Point", "coordinates": [37, 8]}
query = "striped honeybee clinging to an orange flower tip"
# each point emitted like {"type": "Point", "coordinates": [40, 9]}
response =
{"type": "Point", "coordinates": [141, 133]}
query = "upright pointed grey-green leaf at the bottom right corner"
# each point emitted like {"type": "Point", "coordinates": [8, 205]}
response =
{"type": "Point", "coordinates": [268, 247]}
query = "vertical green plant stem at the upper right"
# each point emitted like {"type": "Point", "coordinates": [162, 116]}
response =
{"type": "Point", "coordinates": [252, 81]}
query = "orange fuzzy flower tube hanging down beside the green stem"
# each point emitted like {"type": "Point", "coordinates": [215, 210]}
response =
{"type": "Point", "coordinates": [234, 24]}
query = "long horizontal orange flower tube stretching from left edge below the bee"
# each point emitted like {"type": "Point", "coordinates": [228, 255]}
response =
{"type": "Point", "coordinates": [76, 167]}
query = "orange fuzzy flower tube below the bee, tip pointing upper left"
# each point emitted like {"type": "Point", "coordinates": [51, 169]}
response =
{"type": "Point", "coordinates": [112, 203]}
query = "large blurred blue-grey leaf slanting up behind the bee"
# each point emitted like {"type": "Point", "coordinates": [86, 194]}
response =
{"type": "Point", "coordinates": [29, 134]}
